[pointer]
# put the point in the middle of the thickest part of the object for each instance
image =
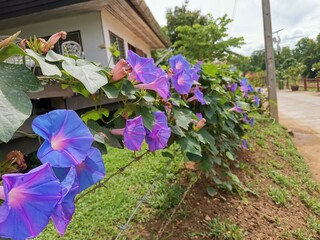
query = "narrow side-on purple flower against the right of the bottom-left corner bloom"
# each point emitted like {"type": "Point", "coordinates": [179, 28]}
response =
{"type": "Point", "coordinates": [64, 210]}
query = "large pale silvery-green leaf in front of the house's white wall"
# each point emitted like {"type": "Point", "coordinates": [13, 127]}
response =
{"type": "Point", "coordinates": [85, 72]}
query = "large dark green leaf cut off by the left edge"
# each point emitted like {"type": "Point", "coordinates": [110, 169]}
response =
{"type": "Point", "coordinates": [15, 105]}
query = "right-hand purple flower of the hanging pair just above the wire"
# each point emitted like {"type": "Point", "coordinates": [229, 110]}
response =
{"type": "Point", "coordinates": [160, 134]}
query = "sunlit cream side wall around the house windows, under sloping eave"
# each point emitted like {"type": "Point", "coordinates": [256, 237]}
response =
{"type": "Point", "coordinates": [110, 23]}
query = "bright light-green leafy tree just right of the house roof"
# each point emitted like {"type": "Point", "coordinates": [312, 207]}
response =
{"type": "Point", "coordinates": [198, 36]}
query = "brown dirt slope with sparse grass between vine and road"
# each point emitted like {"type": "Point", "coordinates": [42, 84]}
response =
{"type": "Point", "coordinates": [256, 214]}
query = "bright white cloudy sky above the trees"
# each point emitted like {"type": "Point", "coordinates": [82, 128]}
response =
{"type": "Point", "coordinates": [299, 18]}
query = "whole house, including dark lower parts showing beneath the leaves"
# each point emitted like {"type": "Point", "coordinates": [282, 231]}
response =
{"type": "Point", "coordinates": [95, 25]}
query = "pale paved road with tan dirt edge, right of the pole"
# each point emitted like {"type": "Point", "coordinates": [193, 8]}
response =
{"type": "Point", "coordinates": [300, 112]}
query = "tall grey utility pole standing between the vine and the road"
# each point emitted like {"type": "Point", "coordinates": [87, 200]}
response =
{"type": "Point", "coordinates": [270, 64]}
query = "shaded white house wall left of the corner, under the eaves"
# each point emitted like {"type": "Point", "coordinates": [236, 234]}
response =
{"type": "Point", "coordinates": [89, 25]}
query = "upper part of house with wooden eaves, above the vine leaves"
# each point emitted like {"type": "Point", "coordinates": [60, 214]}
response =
{"type": "Point", "coordinates": [94, 24]}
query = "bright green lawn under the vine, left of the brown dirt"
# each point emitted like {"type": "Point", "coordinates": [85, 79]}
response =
{"type": "Point", "coordinates": [99, 214]}
